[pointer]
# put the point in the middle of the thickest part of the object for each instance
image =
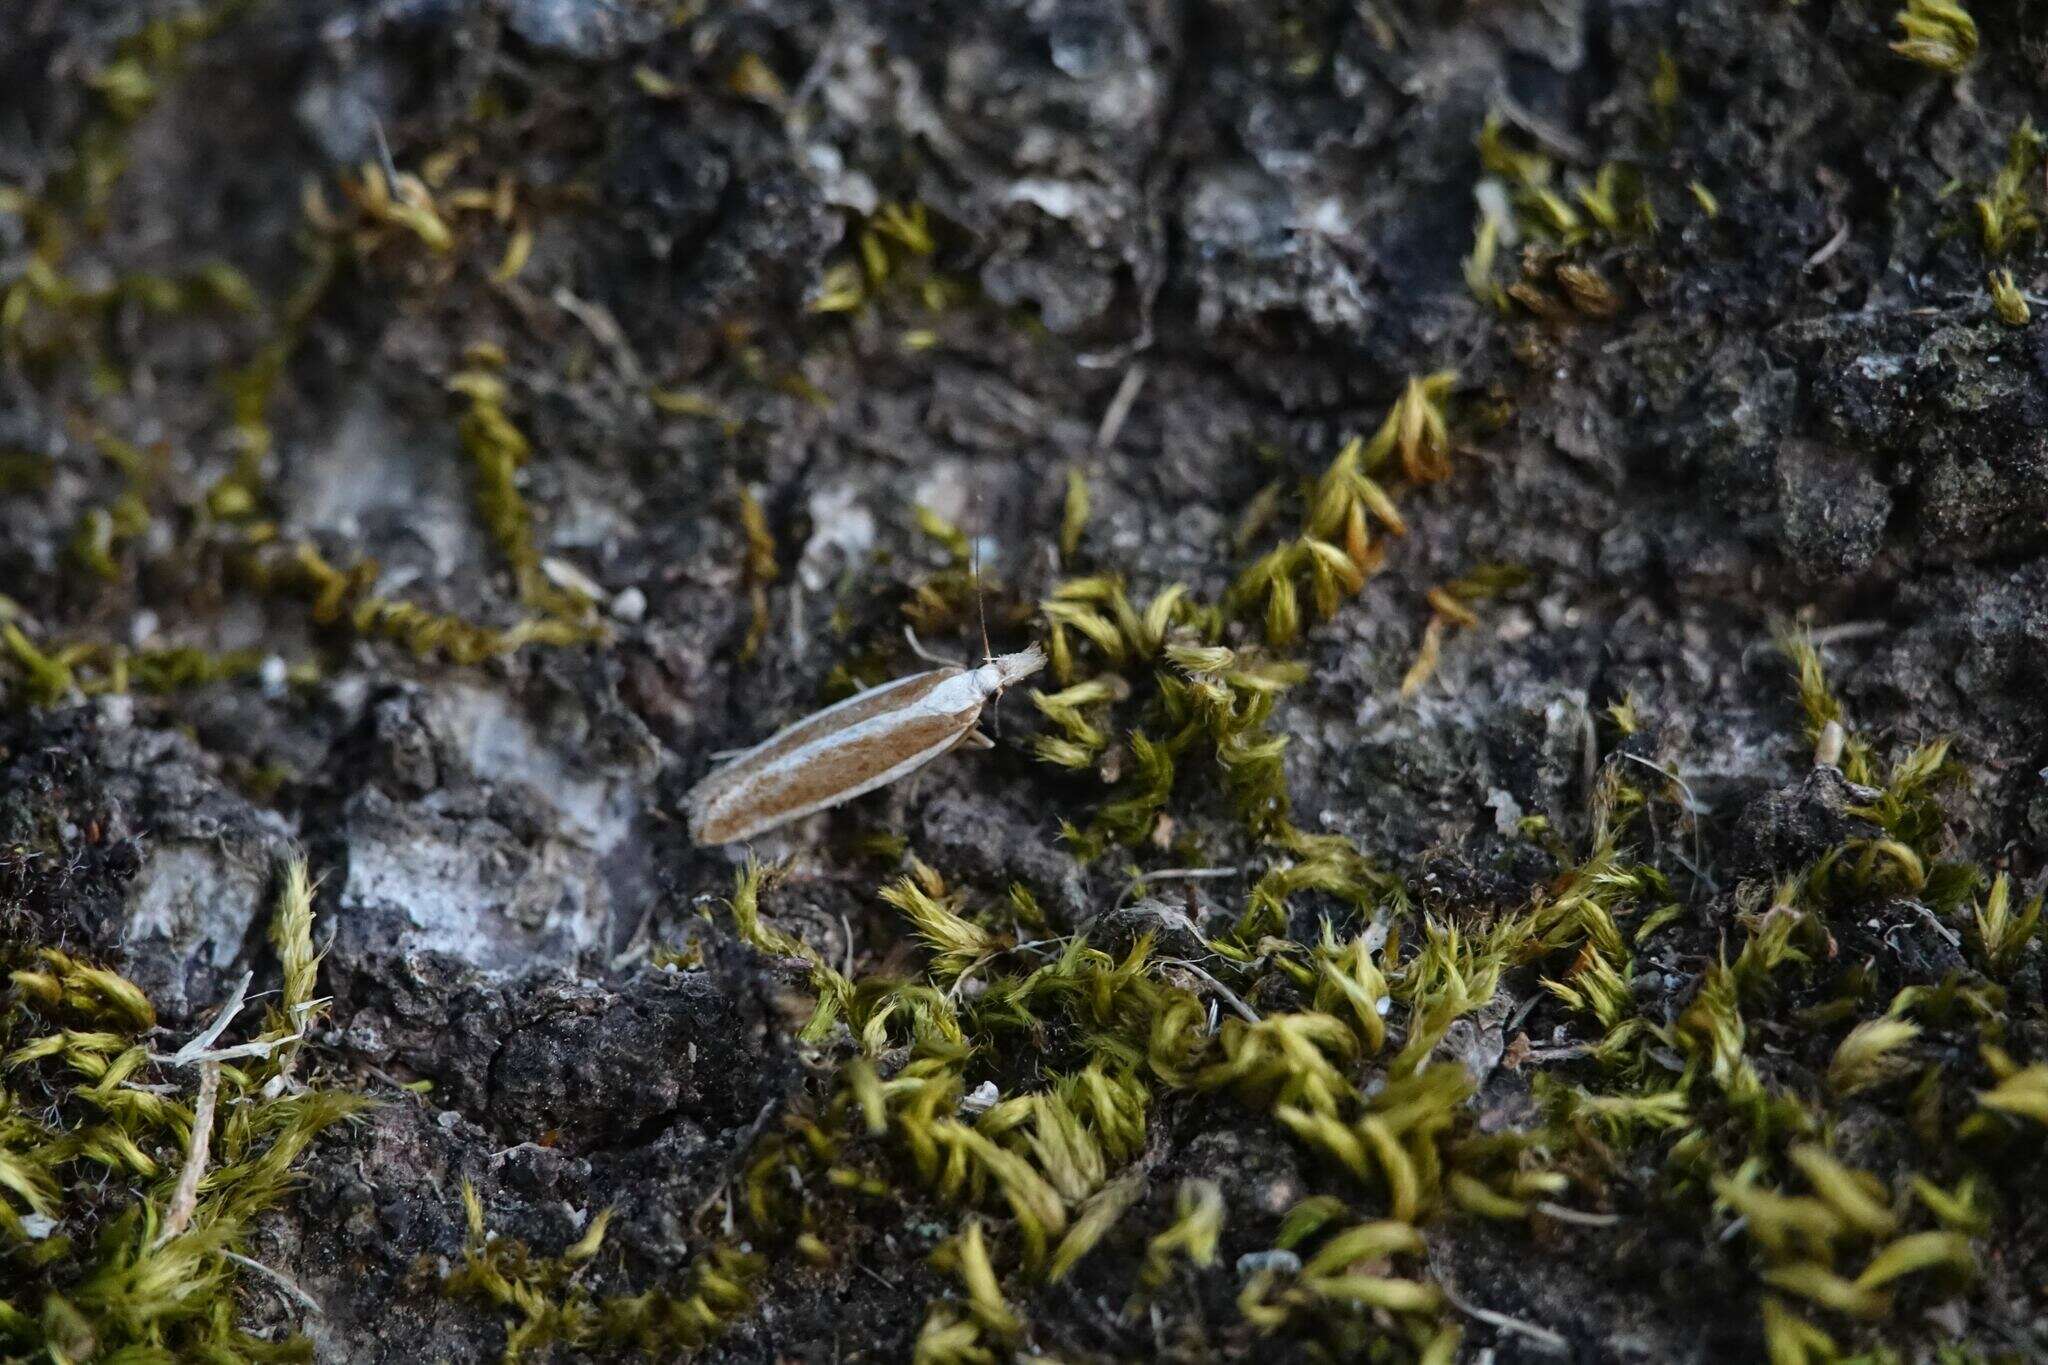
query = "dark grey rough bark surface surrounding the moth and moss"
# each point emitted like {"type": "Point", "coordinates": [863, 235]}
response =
{"type": "Point", "coordinates": [1252, 218]}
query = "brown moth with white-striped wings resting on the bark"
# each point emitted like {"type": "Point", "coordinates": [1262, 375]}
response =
{"type": "Point", "coordinates": [847, 750]}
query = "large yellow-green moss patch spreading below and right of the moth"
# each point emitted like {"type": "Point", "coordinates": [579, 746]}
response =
{"type": "Point", "coordinates": [1068, 1051]}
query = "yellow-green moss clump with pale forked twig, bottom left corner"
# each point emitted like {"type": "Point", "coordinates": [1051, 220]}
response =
{"type": "Point", "coordinates": [126, 1210]}
